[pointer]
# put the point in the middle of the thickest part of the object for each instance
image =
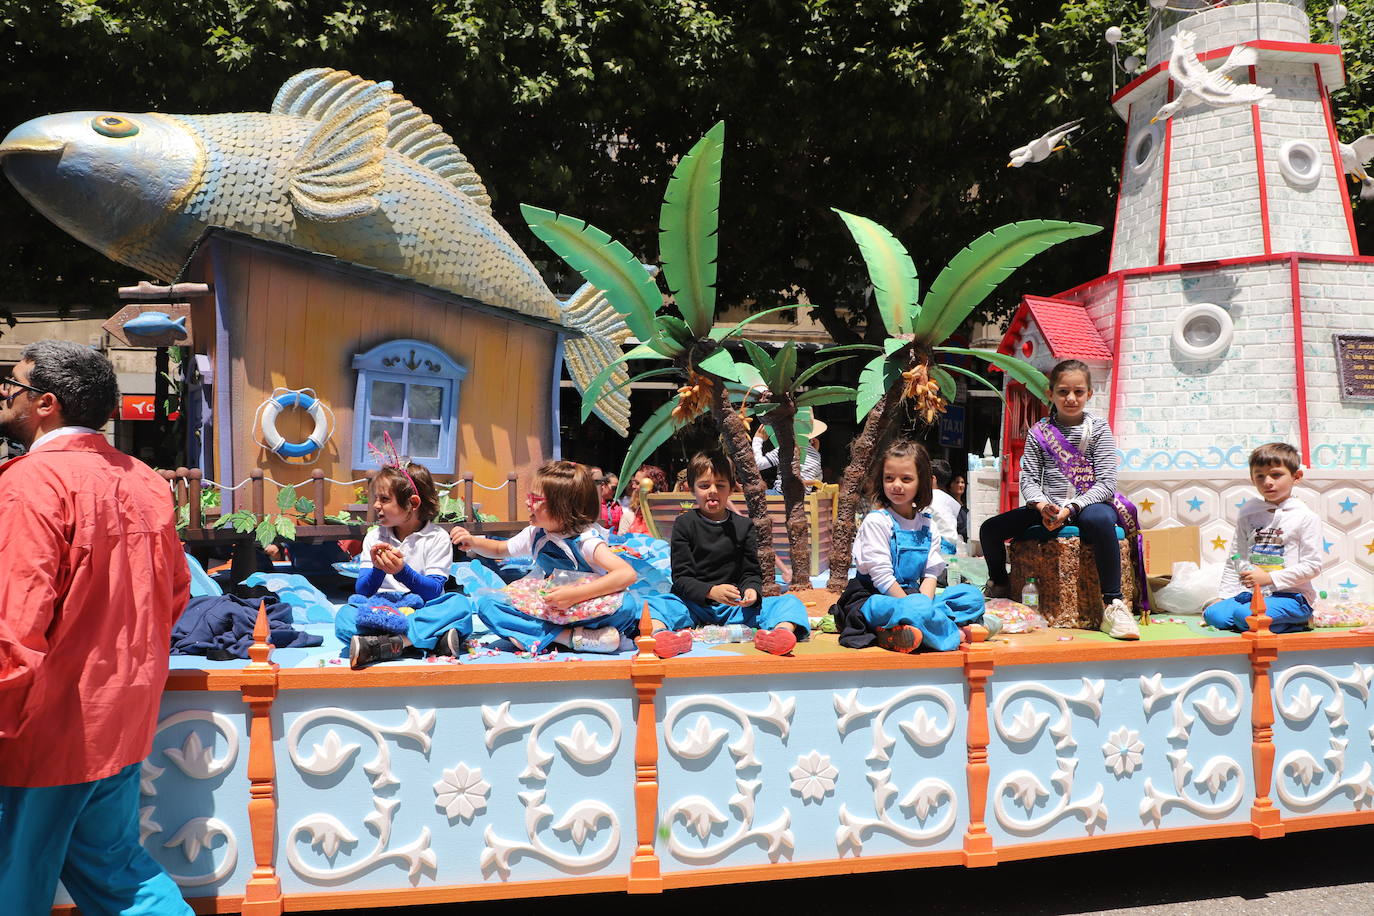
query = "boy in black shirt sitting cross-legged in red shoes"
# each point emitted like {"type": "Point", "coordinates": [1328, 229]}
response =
{"type": "Point", "coordinates": [717, 577]}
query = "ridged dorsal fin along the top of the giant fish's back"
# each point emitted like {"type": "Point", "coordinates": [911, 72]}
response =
{"type": "Point", "coordinates": [313, 94]}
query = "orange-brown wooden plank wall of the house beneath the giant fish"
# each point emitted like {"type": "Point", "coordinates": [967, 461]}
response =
{"type": "Point", "coordinates": [299, 323]}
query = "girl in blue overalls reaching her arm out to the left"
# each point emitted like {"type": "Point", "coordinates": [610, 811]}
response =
{"type": "Point", "coordinates": [563, 536]}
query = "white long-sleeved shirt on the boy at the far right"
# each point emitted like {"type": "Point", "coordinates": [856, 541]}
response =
{"type": "Point", "coordinates": [1285, 540]}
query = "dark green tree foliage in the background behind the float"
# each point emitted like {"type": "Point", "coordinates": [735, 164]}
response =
{"type": "Point", "coordinates": [899, 111]}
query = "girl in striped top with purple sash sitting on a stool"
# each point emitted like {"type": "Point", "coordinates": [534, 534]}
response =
{"type": "Point", "coordinates": [1068, 476]}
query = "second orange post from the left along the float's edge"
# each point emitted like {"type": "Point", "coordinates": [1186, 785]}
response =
{"type": "Point", "coordinates": [646, 671]}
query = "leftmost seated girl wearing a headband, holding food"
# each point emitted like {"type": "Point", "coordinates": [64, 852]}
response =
{"type": "Point", "coordinates": [405, 565]}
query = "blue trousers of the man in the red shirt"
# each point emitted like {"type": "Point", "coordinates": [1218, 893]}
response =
{"type": "Point", "coordinates": [89, 836]}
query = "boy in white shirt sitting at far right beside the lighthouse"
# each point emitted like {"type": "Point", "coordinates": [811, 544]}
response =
{"type": "Point", "coordinates": [1279, 547]}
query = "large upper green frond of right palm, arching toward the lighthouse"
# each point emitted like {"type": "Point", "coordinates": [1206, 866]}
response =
{"type": "Point", "coordinates": [978, 271]}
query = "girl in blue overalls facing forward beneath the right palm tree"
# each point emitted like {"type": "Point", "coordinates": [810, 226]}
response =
{"type": "Point", "coordinates": [892, 601]}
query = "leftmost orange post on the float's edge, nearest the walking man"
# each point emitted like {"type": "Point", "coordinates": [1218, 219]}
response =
{"type": "Point", "coordinates": [263, 895]}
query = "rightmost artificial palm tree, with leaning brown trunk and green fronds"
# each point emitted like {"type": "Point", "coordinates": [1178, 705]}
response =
{"type": "Point", "coordinates": [906, 370]}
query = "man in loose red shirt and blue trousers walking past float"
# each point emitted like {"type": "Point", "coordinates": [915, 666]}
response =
{"type": "Point", "coordinates": [91, 580]}
